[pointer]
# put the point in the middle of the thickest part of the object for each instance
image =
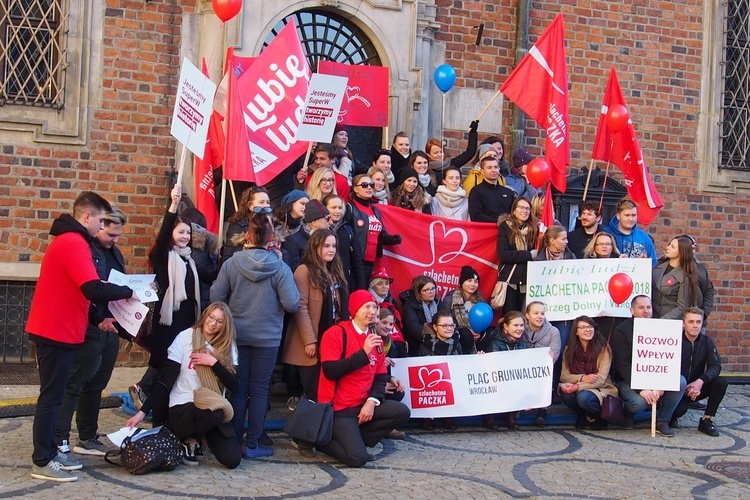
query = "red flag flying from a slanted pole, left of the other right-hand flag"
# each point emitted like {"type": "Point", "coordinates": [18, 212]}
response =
{"type": "Point", "coordinates": [539, 86]}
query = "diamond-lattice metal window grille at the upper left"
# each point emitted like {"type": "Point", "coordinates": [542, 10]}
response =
{"type": "Point", "coordinates": [33, 49]}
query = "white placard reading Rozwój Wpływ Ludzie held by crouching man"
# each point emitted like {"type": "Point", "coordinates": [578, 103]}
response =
{"type": "Point", "coordinates": [657, 353]}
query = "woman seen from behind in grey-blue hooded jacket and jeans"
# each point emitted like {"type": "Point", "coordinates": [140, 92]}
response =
{"type": "Point", "coordinates": [258, 287]}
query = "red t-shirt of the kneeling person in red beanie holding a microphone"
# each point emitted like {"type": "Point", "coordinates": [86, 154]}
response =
{"type": "Point", "coordinates": [353, 388]}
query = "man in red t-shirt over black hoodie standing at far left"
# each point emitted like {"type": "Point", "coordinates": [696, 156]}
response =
{"type": "Point", "coordinates": [67, 284]}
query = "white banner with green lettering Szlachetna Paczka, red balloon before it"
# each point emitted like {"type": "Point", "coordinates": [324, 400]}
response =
{"type": "Point", "coordinates": [571, 288]}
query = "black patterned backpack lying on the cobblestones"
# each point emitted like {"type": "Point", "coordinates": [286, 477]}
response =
{"type": "Point", "coordinates": [146, 451]}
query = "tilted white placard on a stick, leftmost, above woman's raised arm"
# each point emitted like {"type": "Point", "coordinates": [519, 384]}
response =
{"type": "Point", "coordinates": [192, 108]}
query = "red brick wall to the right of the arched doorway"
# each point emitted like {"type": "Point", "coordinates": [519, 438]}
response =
{"type": "Point", "coordinates": [656, 47]}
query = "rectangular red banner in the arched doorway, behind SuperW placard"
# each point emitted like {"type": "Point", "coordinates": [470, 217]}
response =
{"type": "Point", "coordinates": [366, 99]}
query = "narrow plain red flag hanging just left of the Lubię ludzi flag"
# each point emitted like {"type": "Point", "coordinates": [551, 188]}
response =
{"type": "Point", "coordinates": [238, 162]}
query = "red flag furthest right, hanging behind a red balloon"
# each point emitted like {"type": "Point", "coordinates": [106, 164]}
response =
{"type": "Point", "coordinates": [623, 150]}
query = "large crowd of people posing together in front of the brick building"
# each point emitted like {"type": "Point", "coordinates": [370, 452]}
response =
{"type": "Point", "coordinates": [298, 281]}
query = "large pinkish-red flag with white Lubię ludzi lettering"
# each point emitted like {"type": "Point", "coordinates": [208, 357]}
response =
{"type": "Point", "coordinates": [272, 96]}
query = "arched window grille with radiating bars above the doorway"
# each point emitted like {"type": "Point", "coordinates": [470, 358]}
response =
{"type": "Point", "coordinates": [329, 37]}
